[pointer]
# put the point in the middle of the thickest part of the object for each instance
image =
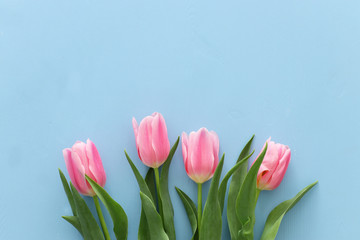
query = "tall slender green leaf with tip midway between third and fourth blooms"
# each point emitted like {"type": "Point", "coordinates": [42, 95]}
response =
{"type": "Point", "coordinates": [234, 189]}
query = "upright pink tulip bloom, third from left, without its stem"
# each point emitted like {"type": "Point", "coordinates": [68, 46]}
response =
{"type": "Point", "coordinates": [201, 154]}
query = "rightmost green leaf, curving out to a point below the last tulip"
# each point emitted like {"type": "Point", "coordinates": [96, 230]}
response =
{"type": "Point", "coordinates": [276, 215]}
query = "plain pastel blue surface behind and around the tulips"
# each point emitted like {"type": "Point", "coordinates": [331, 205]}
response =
{"type": "Point", "coordinates": [72, 70]}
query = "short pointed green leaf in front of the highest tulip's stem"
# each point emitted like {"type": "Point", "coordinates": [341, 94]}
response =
{"type": "Point", "coordinates": [153, 219]}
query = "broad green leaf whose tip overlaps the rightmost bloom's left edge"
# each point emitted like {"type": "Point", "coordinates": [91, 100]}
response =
{"type": "Point", "coordinates": [246, 200]}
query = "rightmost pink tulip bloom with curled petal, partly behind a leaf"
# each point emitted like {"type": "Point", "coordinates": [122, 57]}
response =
{"type": "Point", "coordinates": [274, 165]}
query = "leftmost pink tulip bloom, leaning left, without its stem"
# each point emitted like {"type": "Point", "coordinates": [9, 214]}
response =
{"type": "Point", "coordinates": [84, 159]}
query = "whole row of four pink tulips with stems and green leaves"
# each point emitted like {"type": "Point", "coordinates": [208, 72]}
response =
{"type": "Point", "coordinates": [201, 160]}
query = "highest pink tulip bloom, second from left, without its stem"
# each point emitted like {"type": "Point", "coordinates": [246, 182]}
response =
{"type": "Point", "coordinates": [152, 141]}
